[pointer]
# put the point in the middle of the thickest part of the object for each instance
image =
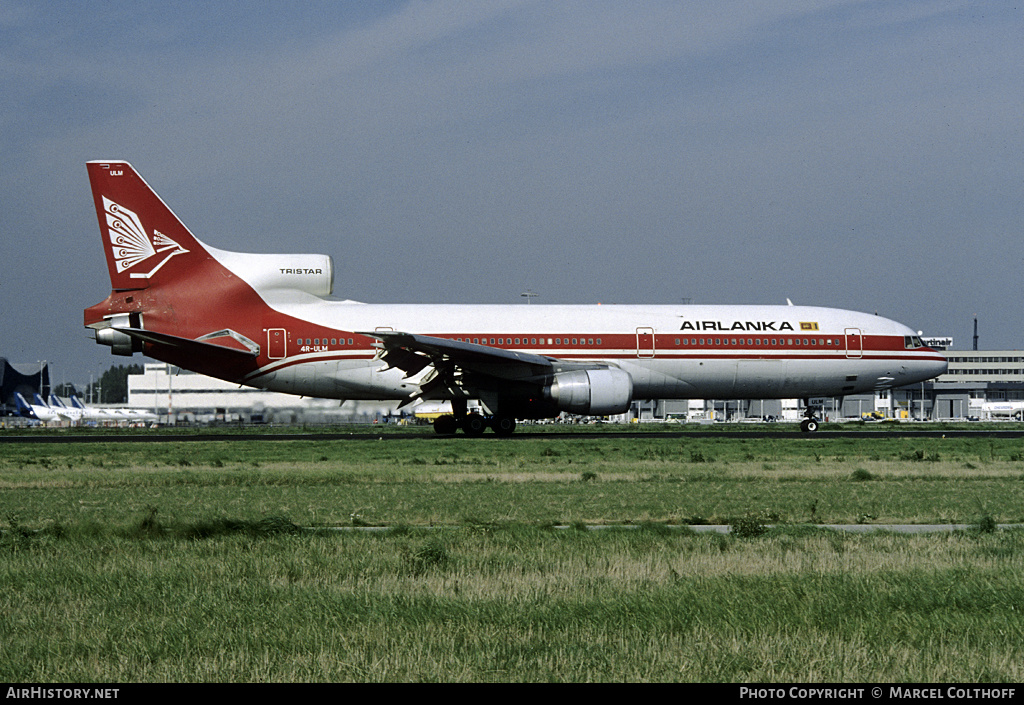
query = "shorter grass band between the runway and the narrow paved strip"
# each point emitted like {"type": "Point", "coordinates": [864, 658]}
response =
{"type": "Point", "coordinates": [423, 482]}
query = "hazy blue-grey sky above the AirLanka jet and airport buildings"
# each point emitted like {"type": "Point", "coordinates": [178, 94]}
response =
{"type": "Point", "coordinates": [845, 153]}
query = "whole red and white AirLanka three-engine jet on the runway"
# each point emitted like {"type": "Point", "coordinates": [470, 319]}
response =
{"type": "Point", "coordinates": [267, 321]}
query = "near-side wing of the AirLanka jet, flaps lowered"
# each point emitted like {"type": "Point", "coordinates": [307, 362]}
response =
{"type": "Point", "coordinates": [459, 369]}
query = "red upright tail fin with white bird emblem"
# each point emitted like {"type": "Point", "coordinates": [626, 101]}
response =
{"type": "Point", "coordinates": [145, 242]}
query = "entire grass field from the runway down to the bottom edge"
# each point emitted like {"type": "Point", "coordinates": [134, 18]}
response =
{"type": "Point", "coordinates": [185, 562]}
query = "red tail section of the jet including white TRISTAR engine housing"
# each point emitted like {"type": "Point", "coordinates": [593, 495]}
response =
{"type": "Point", "coordinates": [177, 299]}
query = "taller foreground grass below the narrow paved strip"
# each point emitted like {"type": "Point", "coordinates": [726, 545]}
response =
{"type": "Point", "coordinates": [513, 603]}
